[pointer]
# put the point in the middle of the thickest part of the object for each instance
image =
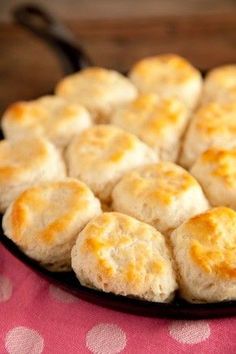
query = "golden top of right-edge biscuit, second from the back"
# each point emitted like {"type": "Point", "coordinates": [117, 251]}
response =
{"type": "Point", "coordinates": [216, 119]}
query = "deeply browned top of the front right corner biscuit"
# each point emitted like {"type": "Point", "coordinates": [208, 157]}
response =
{"type": "Point", "coordinates": [212, 237]}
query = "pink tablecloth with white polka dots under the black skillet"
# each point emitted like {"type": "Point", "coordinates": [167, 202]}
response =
{"type": "Point", "coordinates": [36, 317]}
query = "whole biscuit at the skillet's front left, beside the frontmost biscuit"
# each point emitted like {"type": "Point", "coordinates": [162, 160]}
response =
{"type": "Point", "coordinates": [45, 220]}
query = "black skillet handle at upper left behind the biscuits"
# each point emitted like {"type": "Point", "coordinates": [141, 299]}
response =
{"type": "Point", "coordinates": [46, 27]}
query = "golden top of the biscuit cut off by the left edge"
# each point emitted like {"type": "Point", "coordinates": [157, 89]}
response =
{"type": "Point", "coordinates": [18, 158]}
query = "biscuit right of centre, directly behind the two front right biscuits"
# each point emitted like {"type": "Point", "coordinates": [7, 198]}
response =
{"type": "Point", "coordinates": [163, 195]}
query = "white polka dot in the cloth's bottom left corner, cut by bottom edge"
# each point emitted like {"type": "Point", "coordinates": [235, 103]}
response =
{"type": "Point", "coordinates": [24, 340]}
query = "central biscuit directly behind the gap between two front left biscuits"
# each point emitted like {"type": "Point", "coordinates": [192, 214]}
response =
{"type": "Point", "coordinates": [102, 154]}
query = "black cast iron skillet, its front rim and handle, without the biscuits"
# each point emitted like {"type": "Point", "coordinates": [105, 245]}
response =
{"type": "Point", "coordinates": [73, 59]}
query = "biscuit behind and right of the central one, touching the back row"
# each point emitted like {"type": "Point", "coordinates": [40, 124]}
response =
{"type": "Point", "coordinates": [158, 122]}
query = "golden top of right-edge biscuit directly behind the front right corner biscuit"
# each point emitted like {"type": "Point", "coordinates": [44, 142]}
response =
{"type": "Point", "coordinates": [222, 164]}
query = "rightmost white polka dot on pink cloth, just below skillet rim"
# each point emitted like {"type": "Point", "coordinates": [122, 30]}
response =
{"type": "Point", "coordinates": [189, 332]}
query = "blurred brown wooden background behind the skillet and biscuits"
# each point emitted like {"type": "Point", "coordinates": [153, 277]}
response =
{"type": "Point", "coordinates": [115, 33]}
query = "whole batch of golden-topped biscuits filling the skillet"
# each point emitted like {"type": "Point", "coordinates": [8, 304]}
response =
{"type": "Point", "coordinates": [128, 181]}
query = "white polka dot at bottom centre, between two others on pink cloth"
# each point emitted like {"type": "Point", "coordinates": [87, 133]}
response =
{"type": "Point", "coordinates": [106, 338]}
